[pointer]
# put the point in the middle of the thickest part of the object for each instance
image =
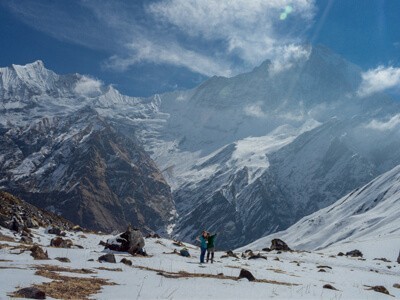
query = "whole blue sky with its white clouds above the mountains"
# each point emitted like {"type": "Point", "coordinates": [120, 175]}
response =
{"type": "Point", "coordinates": [146, 47]}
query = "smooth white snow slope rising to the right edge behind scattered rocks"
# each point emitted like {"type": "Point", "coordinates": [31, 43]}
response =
{"type": "Point", "coordinates": [368, 218]}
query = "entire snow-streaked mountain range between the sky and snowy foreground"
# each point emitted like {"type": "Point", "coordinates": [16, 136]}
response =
{"type": "Point", "coordinates": [244, 156]}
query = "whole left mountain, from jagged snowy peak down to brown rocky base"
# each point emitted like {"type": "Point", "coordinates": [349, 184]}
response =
{"type": "Point", "coordinates": [60, 154]}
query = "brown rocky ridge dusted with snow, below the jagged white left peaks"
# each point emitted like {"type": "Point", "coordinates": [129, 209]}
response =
{"type": "Point", "coordinates": [84, 169]}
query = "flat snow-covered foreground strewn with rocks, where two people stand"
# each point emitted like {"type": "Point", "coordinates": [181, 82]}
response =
{"type": "Point", "coordinates": [166, 275]}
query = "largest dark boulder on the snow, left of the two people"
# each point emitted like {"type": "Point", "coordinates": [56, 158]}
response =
{"type": "Point", "coordinates": [130, 241]}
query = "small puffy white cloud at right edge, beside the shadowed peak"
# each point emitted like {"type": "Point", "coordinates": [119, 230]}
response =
{"type": "Point", "coordinates": [379, 79]}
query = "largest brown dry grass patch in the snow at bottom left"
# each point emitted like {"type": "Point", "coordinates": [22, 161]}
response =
{"type": "Point", "coordinates": [66, 287]}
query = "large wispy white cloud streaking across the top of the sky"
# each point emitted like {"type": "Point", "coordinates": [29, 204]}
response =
{"type": "Point", "coordinates": [209, 37]}
